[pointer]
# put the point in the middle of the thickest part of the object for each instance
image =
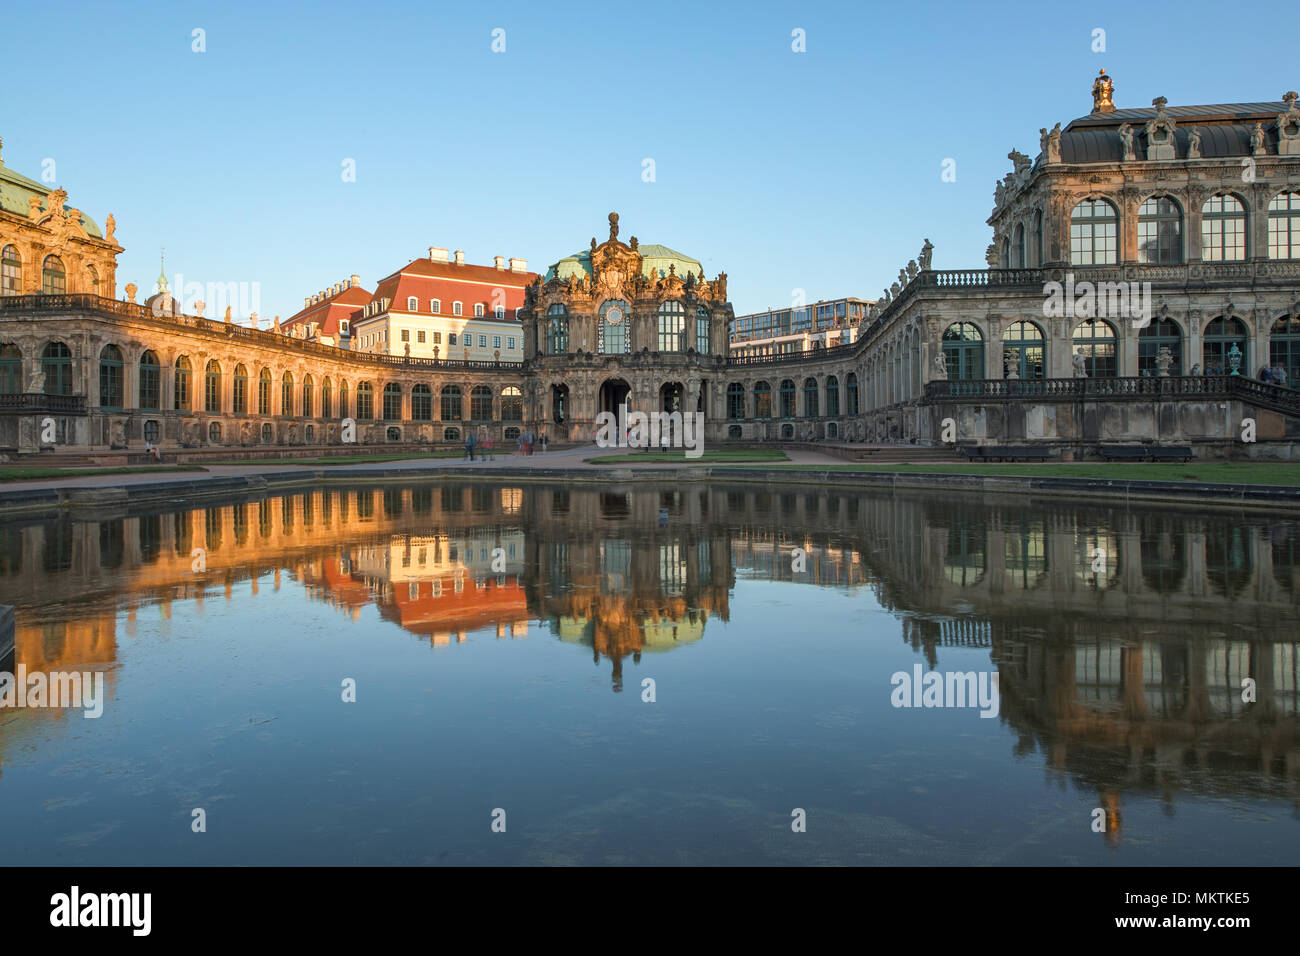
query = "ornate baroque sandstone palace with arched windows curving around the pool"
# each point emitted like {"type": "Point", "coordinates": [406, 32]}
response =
{"type": "Point", "coordinates": [1145, 272]}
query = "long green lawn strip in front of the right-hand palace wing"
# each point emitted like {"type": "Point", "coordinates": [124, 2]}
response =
{"type": "Point", "coordinates": [1220, 473]}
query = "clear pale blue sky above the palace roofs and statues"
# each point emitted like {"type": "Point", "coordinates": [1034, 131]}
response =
{"type": "Point", "coordinates": [817, 171]}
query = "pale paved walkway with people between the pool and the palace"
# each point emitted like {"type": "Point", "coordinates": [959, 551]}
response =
{"type": "Point", "coordinates": [566, 458]}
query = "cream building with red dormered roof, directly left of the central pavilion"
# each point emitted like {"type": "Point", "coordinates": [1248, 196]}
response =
{"type": "Point", "coordinates": [447, 309]}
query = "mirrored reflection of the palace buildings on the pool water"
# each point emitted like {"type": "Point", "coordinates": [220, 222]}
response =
{"type": "Point", "coordinates": [1123, 638]}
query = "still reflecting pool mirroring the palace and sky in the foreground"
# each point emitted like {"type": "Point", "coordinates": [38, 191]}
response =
{"type": "Point", "coordinates": [655, 676]}
